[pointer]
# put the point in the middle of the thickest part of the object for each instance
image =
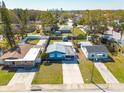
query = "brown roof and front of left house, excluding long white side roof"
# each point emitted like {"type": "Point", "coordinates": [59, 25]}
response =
{"type": "Point", "coordinates": [11, 58]}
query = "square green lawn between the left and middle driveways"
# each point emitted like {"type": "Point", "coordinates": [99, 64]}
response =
{"type": "Point", "coordinates": [49, 73]}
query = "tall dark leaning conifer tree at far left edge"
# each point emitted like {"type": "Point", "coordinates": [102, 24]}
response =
{"type": "Point", "coordinates": [7, 31]}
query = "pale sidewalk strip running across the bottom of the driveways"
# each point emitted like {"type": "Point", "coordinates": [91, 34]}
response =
{"type": "Point", "coordinates": [66, 87]}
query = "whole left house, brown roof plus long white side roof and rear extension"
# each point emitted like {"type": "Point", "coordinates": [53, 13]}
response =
{"type": "Point", "coordinates": [25, 55]}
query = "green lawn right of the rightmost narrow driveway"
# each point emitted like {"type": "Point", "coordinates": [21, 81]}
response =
{"type": "Point", "coordinates": [117, 67]}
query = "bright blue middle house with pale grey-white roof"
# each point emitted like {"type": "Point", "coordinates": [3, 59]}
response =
{"type": "Point", "coordinates": [60, 52]}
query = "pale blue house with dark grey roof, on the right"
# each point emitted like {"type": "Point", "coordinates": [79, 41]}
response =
{"type": "Point", "coordinates": [94, 52]}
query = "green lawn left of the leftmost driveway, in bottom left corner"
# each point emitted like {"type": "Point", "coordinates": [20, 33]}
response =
{"type": "Point", "coordinates": [5, 76]}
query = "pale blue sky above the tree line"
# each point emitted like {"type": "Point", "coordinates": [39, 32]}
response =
{"type": "Point", "coordinates": [65, 4]}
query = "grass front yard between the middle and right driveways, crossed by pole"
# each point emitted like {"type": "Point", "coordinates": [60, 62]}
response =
{"type": "Point", "coordinates": [86, 67]}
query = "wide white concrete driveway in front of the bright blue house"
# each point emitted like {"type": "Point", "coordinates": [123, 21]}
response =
{"type": "Point", "coordinates": [71, 73]}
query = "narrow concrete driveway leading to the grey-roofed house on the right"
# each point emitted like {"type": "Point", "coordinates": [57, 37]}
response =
{"type": "Point", "coordinates": [106, 74]}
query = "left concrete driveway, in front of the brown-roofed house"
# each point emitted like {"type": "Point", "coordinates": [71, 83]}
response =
{"type": "Point", "coordinates": [23, 77]}
